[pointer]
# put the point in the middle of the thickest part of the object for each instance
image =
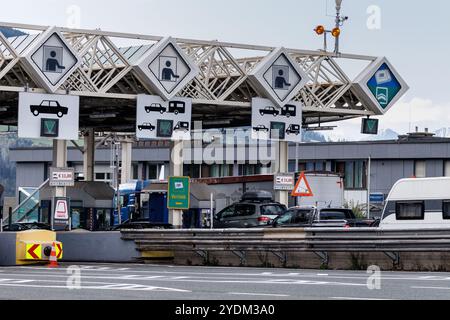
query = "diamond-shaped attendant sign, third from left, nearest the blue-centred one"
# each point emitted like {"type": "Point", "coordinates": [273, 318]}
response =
{"type": "Point", "coordinates": [279, 77]}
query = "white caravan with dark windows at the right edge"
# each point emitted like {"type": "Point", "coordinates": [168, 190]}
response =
{"type": "Point", "coordinates": [418, 204]}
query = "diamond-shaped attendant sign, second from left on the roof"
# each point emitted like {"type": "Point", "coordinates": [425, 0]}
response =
{"type": "Point", "coordinates": [166, 69]}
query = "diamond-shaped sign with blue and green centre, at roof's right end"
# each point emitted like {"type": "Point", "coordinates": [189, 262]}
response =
{"type": "Point", "coordinates": [380, 86]}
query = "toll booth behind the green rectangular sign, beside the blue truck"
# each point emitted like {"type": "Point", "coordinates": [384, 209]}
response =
{"type": "Point", "coordinates": [198, 216]}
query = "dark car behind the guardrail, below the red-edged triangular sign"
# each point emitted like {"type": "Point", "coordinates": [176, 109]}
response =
{"type": "Point", "coordinates": [312, 217]}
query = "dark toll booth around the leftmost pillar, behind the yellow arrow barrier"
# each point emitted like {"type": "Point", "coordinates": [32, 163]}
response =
{"type": "Point", "coordinates": [91, 205]}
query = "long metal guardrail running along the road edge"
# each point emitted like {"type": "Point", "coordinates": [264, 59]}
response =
{"type": "Point", "coordinates": [321, 242]}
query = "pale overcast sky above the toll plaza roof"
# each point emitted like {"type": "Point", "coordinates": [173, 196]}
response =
{"type": "Point", "coordinates": [413, 36]}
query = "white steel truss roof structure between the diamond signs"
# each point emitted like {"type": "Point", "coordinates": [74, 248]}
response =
{"type": "Point", "coordinates": [106, 80]}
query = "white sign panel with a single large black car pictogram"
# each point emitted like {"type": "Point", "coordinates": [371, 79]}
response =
{"type": "Point", "coordinates": [48, 116]}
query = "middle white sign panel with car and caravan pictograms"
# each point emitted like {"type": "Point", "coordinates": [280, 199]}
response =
{"type": "Point", "coordinates": [163, 120]}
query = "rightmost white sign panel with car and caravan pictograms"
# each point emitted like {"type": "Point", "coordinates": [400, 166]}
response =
{"type": "Point", "coordinates": [270, 122]}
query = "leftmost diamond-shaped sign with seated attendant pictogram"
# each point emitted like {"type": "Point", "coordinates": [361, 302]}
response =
{"type": "Point", "coordinates": [51, 60]}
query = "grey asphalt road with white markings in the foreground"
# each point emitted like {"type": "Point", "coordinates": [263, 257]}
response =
{"type": "Point", "coordinates": [114, 281]}
